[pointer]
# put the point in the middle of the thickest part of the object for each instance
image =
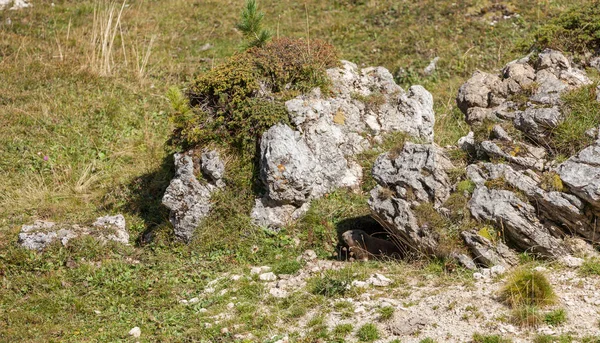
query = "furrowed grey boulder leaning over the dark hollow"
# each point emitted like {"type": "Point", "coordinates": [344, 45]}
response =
{"type": "Point", "coordinates": [407, 179]}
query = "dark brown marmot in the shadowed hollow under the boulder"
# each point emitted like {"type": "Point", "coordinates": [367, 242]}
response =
{"type": "Point", "coordinates": [364, 246]}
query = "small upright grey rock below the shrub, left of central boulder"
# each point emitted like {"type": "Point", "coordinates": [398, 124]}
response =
{"type": "Point", "coordinates": [188, 198]}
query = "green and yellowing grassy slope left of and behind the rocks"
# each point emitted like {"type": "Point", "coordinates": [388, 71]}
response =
{"type": "Point", "coordinates": [104, 138]}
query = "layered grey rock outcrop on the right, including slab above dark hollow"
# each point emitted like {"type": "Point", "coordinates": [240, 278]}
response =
{"type": "Point", "coordinates": [533, 203]}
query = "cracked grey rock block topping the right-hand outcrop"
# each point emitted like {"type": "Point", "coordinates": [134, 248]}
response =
{"type": "Point", "coordinates": [486, 96]}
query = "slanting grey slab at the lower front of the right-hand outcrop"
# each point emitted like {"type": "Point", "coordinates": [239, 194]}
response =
{"type": "Point", "coordinates": [517, 219]}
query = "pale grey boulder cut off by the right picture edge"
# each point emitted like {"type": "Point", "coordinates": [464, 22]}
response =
{"type": "Point", "coordinates": [581, 173]}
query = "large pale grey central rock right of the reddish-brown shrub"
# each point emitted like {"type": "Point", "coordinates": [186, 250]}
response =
{"type": "Point", "coordinates": [297, 166]}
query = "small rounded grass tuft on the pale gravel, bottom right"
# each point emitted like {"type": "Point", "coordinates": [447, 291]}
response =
{"type": "Point", "coordinates": [527, 287]}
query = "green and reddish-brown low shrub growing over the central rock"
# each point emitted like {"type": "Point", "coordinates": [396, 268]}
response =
{"type": "Point", "coordinates": [234, 103]}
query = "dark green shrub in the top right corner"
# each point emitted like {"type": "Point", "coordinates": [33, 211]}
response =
{"type": "Point", "coordinates": [576, 30]}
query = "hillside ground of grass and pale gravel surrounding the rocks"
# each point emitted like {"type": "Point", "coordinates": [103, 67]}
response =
{"type": "Point", "coordinates": [91, 106]}
